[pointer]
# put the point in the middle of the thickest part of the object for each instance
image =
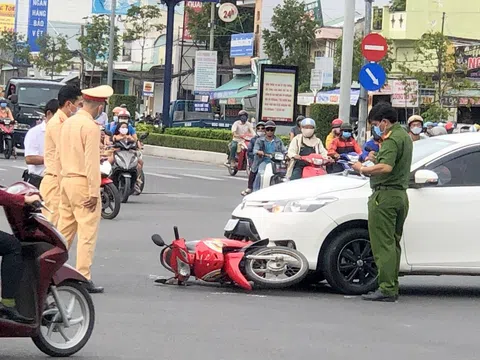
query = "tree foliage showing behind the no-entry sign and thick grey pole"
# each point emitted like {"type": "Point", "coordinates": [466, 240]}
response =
{"type": "Point", "coordinates": [358, 58]}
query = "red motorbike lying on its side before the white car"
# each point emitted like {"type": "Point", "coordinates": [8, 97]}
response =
{"type": "Point", "coordinates": [226, 261]}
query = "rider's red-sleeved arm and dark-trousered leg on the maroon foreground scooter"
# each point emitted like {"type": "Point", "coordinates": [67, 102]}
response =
{"type": "Point", "coordinates": [12, 263]}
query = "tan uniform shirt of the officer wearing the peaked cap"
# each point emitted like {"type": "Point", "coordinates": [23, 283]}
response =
{"type": "Point", "coordinates": [79, 150]}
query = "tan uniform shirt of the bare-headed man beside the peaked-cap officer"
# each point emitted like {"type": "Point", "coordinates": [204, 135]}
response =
{"type": "Point", "coordinates": [51, 157]}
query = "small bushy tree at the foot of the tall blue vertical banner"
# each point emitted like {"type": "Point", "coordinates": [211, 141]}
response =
{"type": "Point", "coordinates": [54, 55]}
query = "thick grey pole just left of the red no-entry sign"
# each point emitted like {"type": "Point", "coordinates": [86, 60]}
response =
{"type": "Point", "coordinates": [347, 61]}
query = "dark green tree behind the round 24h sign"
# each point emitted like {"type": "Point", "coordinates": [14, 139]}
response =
{"type": "Point", "coordinates": [200, 31]}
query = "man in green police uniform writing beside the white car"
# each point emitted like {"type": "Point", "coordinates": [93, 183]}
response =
{"type": "Point", "coordinates": [388, 205]}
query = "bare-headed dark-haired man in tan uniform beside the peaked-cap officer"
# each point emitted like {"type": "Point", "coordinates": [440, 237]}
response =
{"type": "Point", "coordinates": [69, 101]}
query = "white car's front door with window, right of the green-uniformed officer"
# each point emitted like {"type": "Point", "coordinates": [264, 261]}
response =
{"type": "Point", "coordinates": [441, 223]}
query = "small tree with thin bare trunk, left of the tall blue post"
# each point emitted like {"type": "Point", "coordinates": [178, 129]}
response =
{"type": "Point", "coordinates": [140, 22]}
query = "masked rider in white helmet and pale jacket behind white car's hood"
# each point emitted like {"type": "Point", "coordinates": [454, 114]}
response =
{"type": "Point", "coordinates": [303, 144]}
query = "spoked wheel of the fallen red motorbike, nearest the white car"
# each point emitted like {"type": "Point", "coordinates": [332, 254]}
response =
{"type": "Point", "coordinates": [289, 268]}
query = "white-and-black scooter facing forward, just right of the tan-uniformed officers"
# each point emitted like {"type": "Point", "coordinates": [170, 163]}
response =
{"type": "Point", "coordinates": [125, 169]}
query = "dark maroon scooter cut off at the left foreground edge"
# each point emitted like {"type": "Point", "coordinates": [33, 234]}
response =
{"type": "Point", "coordinates": [51, 292]}
